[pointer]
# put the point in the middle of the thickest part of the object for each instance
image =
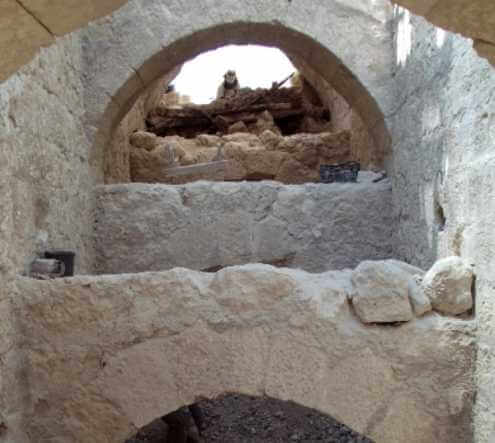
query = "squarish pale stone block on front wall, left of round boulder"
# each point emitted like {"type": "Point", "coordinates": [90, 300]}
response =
{"type": "Point", "coordinates": [381, 292]}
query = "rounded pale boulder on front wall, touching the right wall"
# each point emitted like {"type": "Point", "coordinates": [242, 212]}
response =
{"type": "Point", "coordinates": [448, 285]}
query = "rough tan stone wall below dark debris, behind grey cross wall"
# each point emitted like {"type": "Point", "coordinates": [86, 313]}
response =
{"type": "Point", "coordinates": [292, 159]}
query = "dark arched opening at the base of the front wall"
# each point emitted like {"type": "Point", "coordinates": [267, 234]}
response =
{"type": "Point", "coordinates": [241, 418]}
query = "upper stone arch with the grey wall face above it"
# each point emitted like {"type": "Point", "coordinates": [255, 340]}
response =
{"type": "Point", "coordinates": [352, 53]}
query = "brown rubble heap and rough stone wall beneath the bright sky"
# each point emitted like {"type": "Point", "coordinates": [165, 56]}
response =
{"type": "Point", "coordinates": [263, 134]}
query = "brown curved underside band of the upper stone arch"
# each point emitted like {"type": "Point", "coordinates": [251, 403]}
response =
{"type": "Point", "coordinates": [321, 68]}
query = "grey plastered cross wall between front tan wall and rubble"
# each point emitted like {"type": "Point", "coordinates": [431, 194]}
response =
{"type": "Point", "coordinates": [207, 225]}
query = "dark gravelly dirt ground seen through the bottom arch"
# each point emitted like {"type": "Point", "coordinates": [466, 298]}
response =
{"type": "Point", "coordinates": [236, 418]}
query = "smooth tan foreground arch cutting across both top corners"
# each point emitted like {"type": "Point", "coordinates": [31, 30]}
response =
{"type": "Point", "coordinates": [28, 25]}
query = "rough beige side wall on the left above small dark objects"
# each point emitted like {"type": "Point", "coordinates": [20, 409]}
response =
{"type": "Point", "coordinates": [46, 169]}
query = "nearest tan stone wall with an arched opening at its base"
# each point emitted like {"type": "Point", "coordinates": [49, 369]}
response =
{"type": "Point", "coordinates": [105, 355]}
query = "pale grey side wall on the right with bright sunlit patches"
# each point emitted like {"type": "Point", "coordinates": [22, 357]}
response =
{"type": "Point", "coordinates": [443, 137]}
